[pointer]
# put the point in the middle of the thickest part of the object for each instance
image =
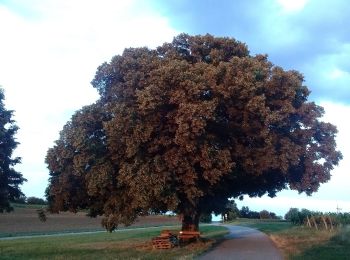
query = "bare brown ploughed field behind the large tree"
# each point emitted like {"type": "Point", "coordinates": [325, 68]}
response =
{"type": "Point", "coordinates": [25, 221]}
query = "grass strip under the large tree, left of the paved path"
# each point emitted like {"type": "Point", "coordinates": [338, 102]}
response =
{"type": "Point", "coordinates": [117, 245]}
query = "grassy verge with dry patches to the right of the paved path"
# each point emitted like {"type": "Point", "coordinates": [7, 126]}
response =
{"type": "Point", "coordinates": [299, 242]}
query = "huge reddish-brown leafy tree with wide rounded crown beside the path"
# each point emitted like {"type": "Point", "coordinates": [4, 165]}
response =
{"type": "Point", "coordinates": [186, 126]}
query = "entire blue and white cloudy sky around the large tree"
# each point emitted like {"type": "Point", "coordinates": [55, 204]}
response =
{"type": "Point", "coordinates": [50, 49]}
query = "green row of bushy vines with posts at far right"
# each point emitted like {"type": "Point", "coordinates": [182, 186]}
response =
{"type": "Point", "coordinates": [299, 217]}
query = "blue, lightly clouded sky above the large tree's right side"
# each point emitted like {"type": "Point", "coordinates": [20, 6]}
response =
{"type": "Point", "coordinates": [311, 36]}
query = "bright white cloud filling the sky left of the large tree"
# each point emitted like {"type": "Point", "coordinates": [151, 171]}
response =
{"type": "Point", "coordinates": [49, 57]}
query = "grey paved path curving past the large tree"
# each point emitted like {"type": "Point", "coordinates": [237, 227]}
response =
{"type": "Point", "coordinates": [244, 243]}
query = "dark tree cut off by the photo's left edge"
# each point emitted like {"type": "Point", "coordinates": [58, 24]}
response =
{"type": "Point", "coordinates": [10, 179]}
